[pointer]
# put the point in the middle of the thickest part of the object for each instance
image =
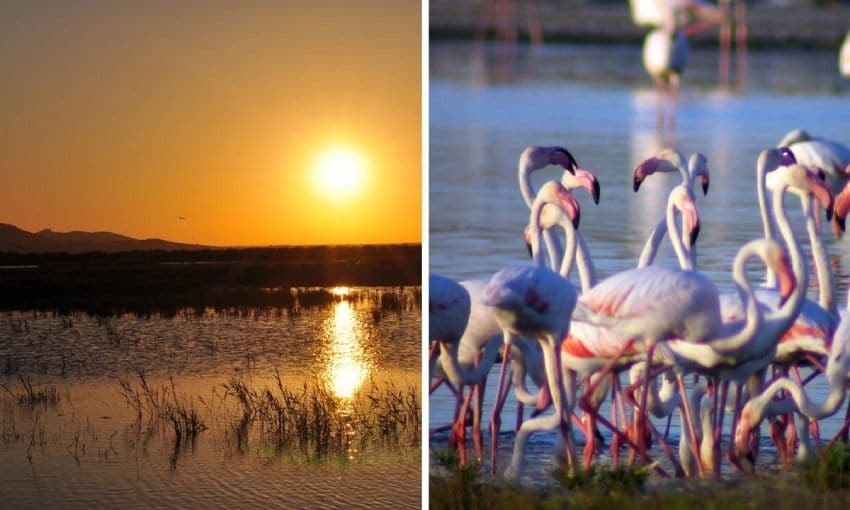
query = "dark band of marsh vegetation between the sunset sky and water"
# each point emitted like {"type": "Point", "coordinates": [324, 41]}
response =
{"type": "Point", "coordinates": [164, 282]}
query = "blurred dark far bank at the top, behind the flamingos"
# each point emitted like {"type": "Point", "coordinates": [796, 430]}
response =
{"type": "Point", "coordinates": [815, 26]}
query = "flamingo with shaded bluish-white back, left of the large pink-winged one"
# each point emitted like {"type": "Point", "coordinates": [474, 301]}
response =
{"type": "Point", "coordinates": [537, 302]}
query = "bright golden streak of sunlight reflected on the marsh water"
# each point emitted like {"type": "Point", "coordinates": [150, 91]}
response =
{"type": "Point", "coordinates": [347, 366]}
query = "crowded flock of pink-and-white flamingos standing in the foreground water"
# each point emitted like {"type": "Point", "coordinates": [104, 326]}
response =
{"type": "Point", "coordinates": [658, 325]}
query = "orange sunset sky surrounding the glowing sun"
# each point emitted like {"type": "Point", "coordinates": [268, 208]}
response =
{"type": "Point", "coordinates": [123, 116]}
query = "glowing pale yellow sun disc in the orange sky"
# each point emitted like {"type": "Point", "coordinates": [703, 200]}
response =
{"type": "Point", "coordinates": [340, 172]}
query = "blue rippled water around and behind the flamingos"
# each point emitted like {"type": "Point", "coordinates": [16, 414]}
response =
{"type": "Point", "coordinates": [488, 103]}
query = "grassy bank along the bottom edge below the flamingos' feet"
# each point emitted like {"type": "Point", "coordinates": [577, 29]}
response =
{"type": "Point", "coordinates": [822, 482]}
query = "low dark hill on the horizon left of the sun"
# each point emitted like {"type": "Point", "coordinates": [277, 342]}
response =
{"type": "Point", "coordinates": [14, 239]}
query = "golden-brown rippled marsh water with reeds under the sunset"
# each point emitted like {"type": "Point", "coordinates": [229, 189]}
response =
{"type": "Point", "coordinates": [80, 443]}
